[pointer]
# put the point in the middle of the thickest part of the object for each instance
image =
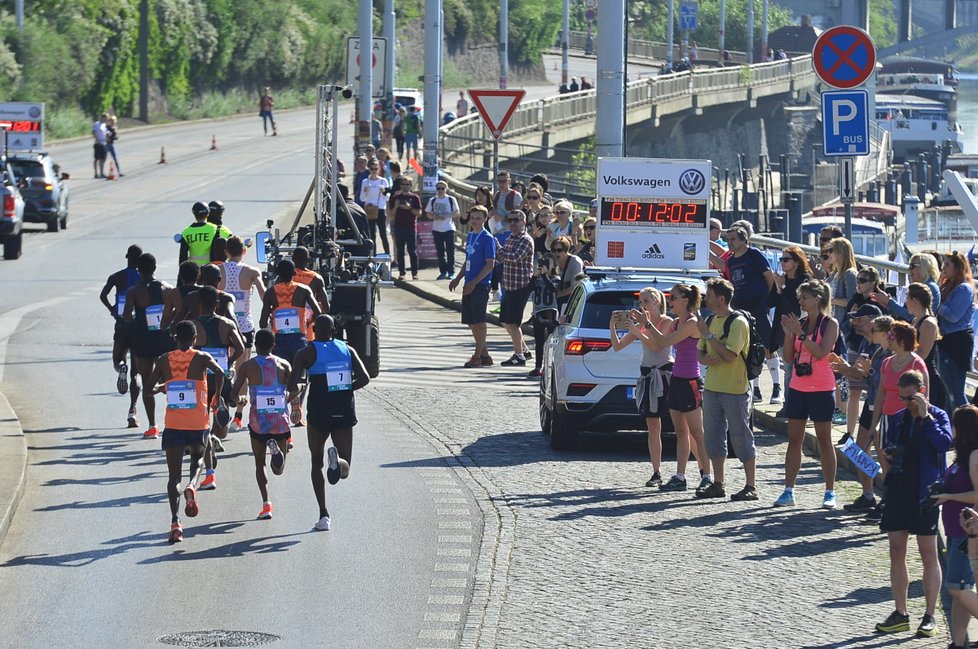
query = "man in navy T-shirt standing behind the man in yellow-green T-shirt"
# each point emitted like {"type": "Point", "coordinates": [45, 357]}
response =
{"type": "Point", "coordinates": [752, 279]}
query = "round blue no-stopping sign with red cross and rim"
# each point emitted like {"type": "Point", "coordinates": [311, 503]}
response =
{"type": "Point", "coordinates": [844, 56]}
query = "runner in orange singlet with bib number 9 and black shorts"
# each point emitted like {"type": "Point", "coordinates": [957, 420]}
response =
{"type": "Point", "coordinates": [180, 374]}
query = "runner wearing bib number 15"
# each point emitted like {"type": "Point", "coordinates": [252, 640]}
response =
{"type": "Point", "coordinates": [268, 420]}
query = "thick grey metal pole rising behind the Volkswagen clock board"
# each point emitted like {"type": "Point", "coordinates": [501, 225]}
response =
{"type": "Point", "coordinates": [609, 125]}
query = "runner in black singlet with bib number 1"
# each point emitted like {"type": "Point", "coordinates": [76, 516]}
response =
{"type": "Point", "coordinates": [146, 309]}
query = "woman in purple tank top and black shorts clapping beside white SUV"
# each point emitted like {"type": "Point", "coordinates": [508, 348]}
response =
{"type": "Point", "coordinates": [686, 386]}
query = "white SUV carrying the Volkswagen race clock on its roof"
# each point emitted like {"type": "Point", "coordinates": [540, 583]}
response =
{"type": "Point", "coordinates": [587, 385]}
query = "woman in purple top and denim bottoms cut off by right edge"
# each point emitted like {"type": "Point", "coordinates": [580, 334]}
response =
{"type": "Point", "coordinates": [960, 481]}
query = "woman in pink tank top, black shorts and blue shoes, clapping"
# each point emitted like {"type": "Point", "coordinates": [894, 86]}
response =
{"type": "Point", "coordinates": [808, 343]}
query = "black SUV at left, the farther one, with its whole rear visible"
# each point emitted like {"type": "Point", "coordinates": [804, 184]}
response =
{"type": "Point", "coordinates": [43, 187]}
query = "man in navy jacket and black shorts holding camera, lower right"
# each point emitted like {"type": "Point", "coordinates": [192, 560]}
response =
{"type": "Point", "coordinates": [920, 438]}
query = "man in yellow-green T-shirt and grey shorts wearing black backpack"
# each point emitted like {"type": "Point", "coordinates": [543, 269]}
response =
{"type": "Point", "coordinates": [725, 346]}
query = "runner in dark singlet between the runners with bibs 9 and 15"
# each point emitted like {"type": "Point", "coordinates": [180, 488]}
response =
{"type": "Point", "coordinates": [219, 337]}
